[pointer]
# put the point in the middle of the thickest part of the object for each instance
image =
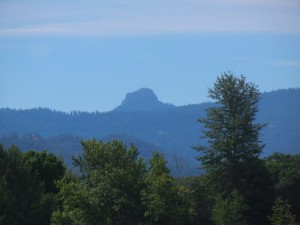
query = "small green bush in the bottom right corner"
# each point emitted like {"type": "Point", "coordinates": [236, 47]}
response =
{"type": "Point", "coordinates": [281, 213]}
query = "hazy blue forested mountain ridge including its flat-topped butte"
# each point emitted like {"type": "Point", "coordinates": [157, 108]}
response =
{"type": "Point", "coordinates": [172, 130]}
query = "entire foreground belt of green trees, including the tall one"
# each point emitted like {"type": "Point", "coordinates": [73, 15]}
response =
{"type": "Point", "coordinates": [112, 184]}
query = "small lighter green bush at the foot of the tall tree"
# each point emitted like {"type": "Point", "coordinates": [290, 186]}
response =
{"type": "Point", "coordinates": [230, 211]}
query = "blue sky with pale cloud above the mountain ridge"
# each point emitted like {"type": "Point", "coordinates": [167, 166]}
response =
{"type": "Point", "coordinates": [86, 55]}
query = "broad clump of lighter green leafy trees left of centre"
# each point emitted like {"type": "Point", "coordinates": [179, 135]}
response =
{"type": "Point", "coordinates": [116, 187]}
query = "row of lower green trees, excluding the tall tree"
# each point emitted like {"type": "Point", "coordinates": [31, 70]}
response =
{"type": "Point", "coordinates": [116, 186]}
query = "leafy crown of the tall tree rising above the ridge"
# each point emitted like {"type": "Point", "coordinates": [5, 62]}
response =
{"type": "Point", "coordinates": [233, 137]}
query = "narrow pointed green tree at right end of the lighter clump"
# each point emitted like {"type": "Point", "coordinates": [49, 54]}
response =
{"type": "Point", "coordinates": [161, 197]}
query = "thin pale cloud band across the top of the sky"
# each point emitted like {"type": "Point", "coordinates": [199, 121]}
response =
{"type": "Point", "coordinates": [115, 18]}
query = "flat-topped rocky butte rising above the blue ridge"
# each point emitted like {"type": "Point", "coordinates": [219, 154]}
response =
{"type": "Point", "coordinates": [142, 100]}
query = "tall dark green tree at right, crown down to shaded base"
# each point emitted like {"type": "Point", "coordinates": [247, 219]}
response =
{"type": "Point", "coordinates": [231, 156]}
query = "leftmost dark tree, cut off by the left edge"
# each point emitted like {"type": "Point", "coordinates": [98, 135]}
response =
{"type": "Point", "coordinates": [20, 193]}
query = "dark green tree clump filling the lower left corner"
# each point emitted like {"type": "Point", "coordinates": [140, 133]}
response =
{"type": "Point", "coordinates": [27, 191]}
